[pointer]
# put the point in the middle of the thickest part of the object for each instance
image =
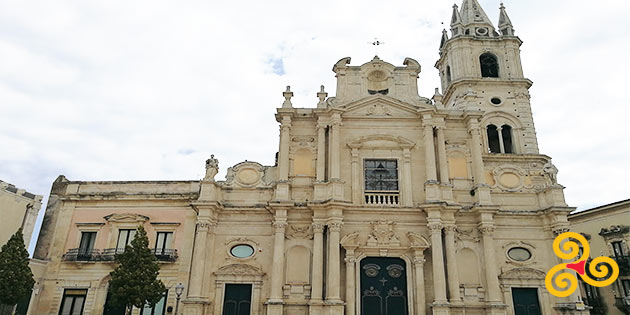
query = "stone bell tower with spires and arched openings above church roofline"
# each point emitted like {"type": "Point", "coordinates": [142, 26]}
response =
{"type": "Point", "coordinates": [480, 70]}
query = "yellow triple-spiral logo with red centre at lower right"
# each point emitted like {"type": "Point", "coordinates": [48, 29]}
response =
{"type": "Point", "coordinates": [567, 282]}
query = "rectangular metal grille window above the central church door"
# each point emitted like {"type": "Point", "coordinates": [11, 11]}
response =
{"type": "Point", "coordinates": [381, 175]}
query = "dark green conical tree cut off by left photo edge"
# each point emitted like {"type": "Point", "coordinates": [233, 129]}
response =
{"type": "Point", "coordinates": [16, 277]}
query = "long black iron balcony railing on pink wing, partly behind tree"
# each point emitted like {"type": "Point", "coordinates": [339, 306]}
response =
{"type": "Point", "coordinates": [109, 254]}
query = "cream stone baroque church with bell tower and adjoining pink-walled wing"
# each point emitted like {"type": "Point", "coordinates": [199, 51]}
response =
{"type": "Point", "coordinates": [381, 202]}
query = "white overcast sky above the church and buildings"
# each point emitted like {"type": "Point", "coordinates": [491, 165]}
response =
{"type": "Point", "coordinates": [147, 90]}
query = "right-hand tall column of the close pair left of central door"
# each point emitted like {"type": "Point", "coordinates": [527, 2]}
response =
{"type": "Point", "coordinates": [332, 281]}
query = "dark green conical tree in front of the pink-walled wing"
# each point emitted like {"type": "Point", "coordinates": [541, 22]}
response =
{"type": "Point", "coordinates": [134, 282]}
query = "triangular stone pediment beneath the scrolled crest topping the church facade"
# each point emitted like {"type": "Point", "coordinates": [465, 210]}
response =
{"type": "Point", "coordinates": [380, 107]}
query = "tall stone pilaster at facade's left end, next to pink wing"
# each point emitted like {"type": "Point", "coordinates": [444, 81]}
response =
{"type": "Point", "coordinates": [199, 258]}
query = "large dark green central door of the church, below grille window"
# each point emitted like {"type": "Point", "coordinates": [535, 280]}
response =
{"type": "Point", "coordinates": [383, 286]}
